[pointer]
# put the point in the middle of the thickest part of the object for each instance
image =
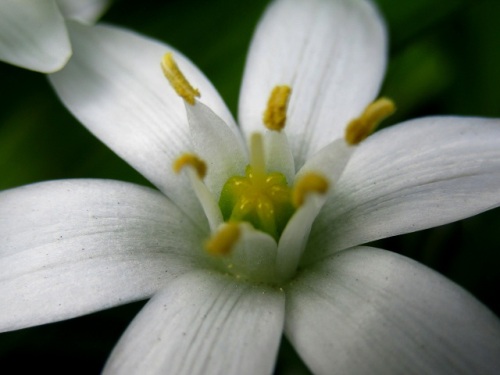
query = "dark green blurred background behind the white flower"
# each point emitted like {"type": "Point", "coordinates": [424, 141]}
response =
{"type": "Point", "coordinates": [444, 59]}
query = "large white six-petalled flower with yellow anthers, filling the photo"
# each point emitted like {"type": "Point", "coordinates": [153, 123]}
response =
{"type": "Point", "coordinates": [77, 246]}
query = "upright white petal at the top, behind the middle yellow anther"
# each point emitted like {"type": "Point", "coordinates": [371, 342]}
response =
{"type": "Point", "coordinates": [331, 53]}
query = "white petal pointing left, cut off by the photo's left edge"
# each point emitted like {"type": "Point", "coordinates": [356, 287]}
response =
{"type": "Point", "coordinates": [76, 246]}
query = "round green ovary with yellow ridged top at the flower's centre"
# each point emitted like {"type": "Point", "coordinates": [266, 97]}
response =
{"type": "Point", "coordinates": [263, 200]}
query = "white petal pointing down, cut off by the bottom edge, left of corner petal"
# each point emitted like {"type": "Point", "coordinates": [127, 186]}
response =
{"type": "Point", "coordinates": [203, 324]}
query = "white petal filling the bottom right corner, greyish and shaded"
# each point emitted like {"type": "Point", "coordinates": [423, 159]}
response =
{"type": "Point", "coordinates": [369, 311]}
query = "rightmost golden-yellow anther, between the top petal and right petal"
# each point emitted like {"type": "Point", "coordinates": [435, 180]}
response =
{"type": "Point", "coordinates": [360, 128]}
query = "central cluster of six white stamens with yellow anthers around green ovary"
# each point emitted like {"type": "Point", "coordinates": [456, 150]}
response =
{"type": "Point", "coordinates": [260, 224]}
